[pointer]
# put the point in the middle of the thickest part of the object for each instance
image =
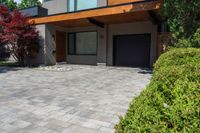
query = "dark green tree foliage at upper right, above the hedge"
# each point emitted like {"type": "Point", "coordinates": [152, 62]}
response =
{"type": "Point", "coordinates": [184, 16]}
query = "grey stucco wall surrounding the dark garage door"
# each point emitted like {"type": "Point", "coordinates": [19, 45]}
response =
{"type": "Point", "coordinates": [132, 28]}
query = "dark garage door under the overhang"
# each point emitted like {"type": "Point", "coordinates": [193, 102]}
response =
{"type": "Point", "coordinates": [132, 50]}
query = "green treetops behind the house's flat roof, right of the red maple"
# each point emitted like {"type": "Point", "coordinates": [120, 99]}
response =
{"type": "Point", "coordinates": [29, 3]}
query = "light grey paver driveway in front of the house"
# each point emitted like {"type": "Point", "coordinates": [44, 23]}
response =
{"type": "Point", "coordinates": [72, 98]}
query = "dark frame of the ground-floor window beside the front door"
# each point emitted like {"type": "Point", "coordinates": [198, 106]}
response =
{"type": "Point", "coordinates": [75, 44]}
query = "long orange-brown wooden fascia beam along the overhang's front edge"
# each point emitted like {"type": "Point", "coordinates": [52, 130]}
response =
{"type": "Point", "coordinates": [153, 5]}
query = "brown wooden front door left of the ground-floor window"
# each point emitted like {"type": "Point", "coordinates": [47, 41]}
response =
{"type": "Point", "coordinates": [60, 46]}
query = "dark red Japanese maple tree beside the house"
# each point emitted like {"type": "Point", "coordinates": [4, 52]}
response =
{"type": "Point", "coordinates": [18, 34]}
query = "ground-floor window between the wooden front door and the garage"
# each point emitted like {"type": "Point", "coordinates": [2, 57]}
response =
{"type": "Point", "coordinates": [82, 43]}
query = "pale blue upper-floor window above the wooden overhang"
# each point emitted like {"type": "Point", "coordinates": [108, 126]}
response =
{"type": "Point", "coordinates": [75, 5]}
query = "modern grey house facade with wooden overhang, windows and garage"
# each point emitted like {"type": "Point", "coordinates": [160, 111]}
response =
{"type": "Point", "coordinates": [98, 32]}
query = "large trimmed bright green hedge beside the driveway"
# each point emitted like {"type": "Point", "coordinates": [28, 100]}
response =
{"type": "Point", "coordinates": [171, 102]}
